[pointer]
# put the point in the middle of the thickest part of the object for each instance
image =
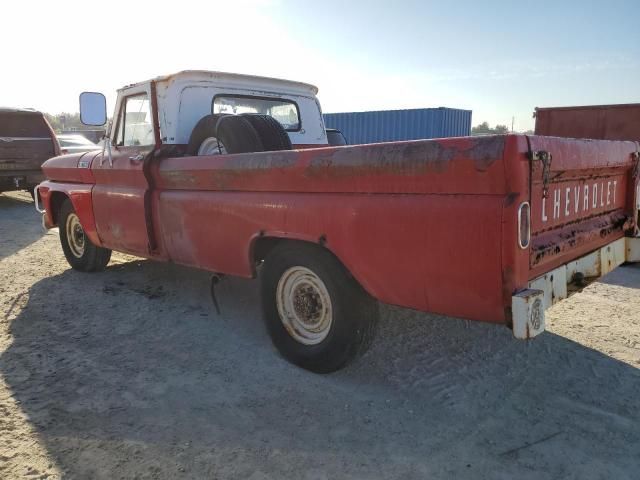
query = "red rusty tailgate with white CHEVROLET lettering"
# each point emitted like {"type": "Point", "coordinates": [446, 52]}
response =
{"type": "Point", "coordinates": [582, 197]}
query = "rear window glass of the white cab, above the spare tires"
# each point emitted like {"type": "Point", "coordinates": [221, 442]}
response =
{"type": "Point", "coordinates": [284, 111]}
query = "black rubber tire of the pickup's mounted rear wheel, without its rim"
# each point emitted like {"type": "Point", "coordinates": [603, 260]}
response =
{"type": "Point", "coordinates": [354, 312]}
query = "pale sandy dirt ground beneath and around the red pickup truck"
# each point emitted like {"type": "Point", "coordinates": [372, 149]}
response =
{"type": "Point", "coordinates": [130, 374]}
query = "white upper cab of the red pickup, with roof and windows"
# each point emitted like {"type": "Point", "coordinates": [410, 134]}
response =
{"type": "Point", "coordinates": [165, 110]}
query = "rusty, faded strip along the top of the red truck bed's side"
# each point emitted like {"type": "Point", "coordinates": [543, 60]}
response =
{"type": "Point", "coordinates": [398, 158]}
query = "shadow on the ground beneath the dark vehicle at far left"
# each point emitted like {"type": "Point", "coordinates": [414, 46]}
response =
{"type": "Point", "coordinates": [21, 226]}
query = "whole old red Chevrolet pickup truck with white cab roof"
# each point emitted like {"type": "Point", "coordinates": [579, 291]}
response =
{"type": "Point", "coordinates": [232, 174]}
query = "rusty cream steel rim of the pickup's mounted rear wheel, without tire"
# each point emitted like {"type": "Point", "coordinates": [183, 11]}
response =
{"type": "Point", "coordinates": [304, 305]}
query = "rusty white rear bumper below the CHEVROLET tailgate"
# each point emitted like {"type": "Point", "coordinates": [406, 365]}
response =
{"type": "Point", "coordinates": [528, 305]}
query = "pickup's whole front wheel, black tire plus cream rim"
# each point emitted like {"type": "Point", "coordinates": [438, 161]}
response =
{"type": "Point", "coordinates": [81, 254]}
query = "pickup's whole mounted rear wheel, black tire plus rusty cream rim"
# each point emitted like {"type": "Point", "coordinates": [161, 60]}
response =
{"type": "Point", "coordinates": [317, 315]}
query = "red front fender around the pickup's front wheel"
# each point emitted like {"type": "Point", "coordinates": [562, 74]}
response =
{"type": "Point", "coordinates": [54, 193]}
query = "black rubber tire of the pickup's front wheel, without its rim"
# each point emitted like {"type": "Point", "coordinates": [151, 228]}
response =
{"type": "Point", "coordinates": [92, 258]}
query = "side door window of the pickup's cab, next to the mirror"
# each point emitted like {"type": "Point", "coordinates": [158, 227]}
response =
{"type": "Point", "coordinates": [135, 126]}
